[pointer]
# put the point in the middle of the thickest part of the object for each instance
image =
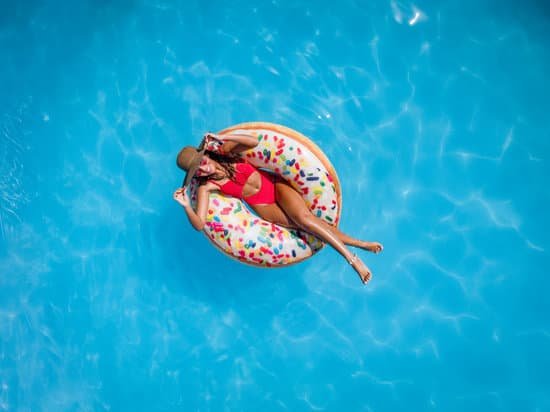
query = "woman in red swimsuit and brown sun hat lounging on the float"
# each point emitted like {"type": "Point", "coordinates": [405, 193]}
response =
{"type": "Point", "coordinates": [218, 167]}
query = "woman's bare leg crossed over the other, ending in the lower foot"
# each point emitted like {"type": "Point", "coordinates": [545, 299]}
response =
{"type": "Point", "coordinates": [297, 211]}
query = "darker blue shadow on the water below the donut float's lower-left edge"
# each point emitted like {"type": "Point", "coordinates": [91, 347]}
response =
{"type": "Point", "coordinates": [191, 265]}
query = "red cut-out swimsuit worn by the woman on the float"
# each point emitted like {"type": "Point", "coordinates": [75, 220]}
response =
{"type": "Point", "coordinates": [266, 194]}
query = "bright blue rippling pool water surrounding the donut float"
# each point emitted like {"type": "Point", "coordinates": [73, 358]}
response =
{"type": "Point", "coordinates": [435, 117]}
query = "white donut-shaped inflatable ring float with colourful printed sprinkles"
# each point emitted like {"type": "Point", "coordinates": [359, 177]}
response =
{"type": "Point", "coordinates": [241, 234]}
